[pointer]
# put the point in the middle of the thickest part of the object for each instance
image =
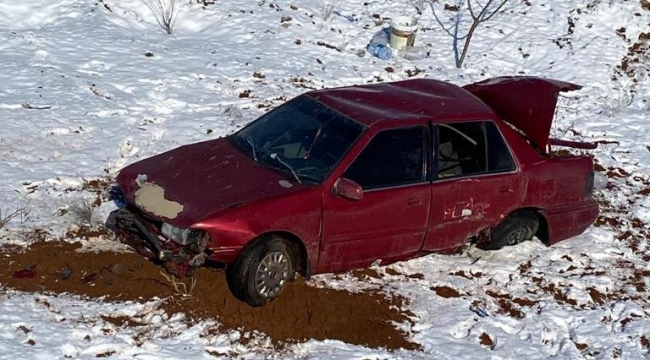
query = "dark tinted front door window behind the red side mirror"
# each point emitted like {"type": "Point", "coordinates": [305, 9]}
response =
{"type": "Point", "coordinates": [391, 158]}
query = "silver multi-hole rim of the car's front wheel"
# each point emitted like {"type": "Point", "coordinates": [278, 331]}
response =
{"type": "Point", "coordinates": [272, 273]}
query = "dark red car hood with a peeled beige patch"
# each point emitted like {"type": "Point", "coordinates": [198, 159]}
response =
{"type": "Point", "coordinates": [187, 184]}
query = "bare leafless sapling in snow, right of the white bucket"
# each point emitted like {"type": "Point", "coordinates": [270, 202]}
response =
{"type": "Point", "coordinates": [478, 13]}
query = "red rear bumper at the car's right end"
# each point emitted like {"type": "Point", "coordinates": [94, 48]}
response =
{"type": "Point", "coordinates": [570, 220]}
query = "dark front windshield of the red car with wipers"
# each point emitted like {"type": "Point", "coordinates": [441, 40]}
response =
{"type": "Point", "coordinates": [303, 138]}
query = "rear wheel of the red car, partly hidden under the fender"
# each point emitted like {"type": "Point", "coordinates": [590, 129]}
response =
{"type": "Point", "coordinates": [515, 229]}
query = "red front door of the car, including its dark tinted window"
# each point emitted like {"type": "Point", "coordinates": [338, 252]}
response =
{"type": "Point", "coordinates": [390, 220]}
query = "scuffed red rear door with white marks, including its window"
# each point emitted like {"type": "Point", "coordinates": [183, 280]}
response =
{"type": "Point", "coordinates": [475, 183]}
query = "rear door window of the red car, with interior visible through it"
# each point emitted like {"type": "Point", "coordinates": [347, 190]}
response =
{"type": "Point", "coordinates": [471, 148]}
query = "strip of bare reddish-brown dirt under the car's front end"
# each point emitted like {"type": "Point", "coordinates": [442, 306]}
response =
{"type": "Point", "coordinates": [301, 312]}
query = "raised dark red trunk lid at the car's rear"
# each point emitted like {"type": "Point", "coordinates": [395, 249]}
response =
{"type": "Point", "coordinates": [527, 103]}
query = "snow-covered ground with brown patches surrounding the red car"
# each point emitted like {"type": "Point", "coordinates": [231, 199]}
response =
{"type": "Point", "coordinates": [89, 86]}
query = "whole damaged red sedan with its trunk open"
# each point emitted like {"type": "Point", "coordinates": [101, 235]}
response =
{"type": "Point", "coordinates": [339, 178]}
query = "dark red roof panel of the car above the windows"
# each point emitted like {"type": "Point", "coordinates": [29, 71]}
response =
{"type": "Point", "coordinates": [403, 100]}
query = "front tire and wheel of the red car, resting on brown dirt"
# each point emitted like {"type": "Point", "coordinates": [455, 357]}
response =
{"type": "Point", "coordinates": [261, 271]}
